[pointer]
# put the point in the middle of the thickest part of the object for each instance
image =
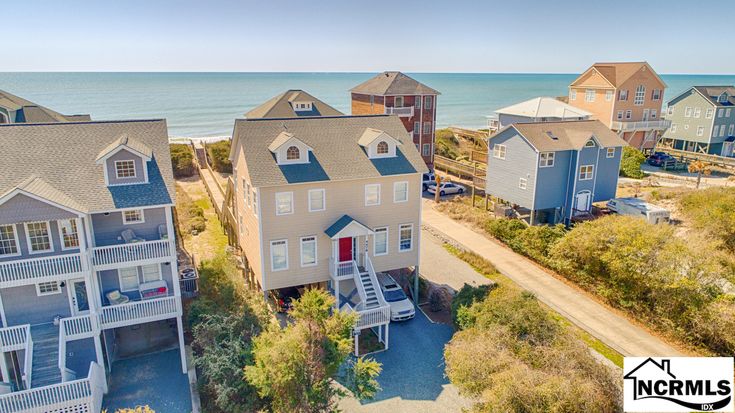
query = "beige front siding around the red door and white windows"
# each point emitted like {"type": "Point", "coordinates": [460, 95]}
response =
{"type": "Point", "coordinates": [342, 197]}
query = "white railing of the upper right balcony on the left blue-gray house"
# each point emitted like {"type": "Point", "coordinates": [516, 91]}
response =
{"type": "Point", "coordinates": [138, 251]}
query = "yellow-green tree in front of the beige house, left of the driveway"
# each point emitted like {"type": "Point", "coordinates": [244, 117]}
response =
{"type": "Point", "coordinates": [294, 366]}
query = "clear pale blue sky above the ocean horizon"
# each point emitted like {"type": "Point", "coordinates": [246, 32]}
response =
{"type": "Point", "coordinates": [530, 36]}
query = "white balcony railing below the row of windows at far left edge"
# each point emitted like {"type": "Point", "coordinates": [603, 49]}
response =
{"type": "Point", "coordinates": [35, 270]}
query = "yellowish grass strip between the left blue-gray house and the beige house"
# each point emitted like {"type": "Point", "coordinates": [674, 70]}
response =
{"type": "Point", "coordinates": [208, 243]}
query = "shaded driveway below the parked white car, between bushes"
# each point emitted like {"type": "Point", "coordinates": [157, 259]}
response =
{"type": "Point", "coordinates": [413, 372]}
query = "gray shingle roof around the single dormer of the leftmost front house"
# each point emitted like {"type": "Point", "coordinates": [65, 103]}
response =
{"type": "Point", "coordinates": [58, 160]}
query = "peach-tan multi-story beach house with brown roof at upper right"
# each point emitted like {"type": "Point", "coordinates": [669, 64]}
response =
{"type": "Point", "coordinates": [626, 97]}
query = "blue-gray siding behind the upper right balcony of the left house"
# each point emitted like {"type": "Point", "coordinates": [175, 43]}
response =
{"type": "Point", "coordinates": [107, 228]}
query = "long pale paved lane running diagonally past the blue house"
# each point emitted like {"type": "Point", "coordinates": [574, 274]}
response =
{"type": "Point", "coordinates": [613, 329]}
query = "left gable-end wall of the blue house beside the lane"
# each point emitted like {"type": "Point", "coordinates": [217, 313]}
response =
{"type": "Point", "coordinates": [503, 175]}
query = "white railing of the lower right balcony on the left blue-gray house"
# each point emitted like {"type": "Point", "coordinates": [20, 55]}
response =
{"type": "Point", "coordinates": [139, 312]}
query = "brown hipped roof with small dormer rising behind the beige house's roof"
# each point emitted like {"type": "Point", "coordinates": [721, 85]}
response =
{"type": "Point", "coordinates": [281, 106]}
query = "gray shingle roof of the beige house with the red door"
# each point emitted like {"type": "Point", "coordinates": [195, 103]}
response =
{"type": "Point", "coordinates": [336, 153]}
